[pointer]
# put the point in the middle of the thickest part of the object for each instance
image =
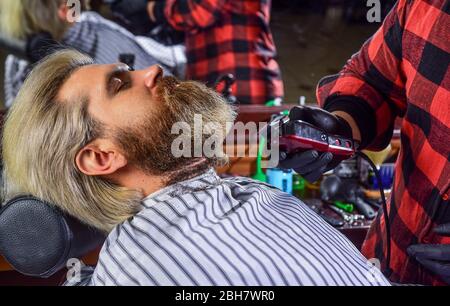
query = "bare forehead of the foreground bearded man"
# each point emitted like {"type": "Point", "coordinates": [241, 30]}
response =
{"type": "Point", "coordinates": [85, 81]}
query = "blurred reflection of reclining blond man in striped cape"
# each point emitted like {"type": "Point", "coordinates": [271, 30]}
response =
{"type": "Point", "coordinates": [44, 25]}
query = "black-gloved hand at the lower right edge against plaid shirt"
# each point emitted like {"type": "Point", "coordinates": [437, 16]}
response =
{"type": "Point", "coordinates": [434, 257]}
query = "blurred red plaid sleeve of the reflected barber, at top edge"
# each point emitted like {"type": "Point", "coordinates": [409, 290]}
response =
{"type": "Point", "coordinates": [189, 15]}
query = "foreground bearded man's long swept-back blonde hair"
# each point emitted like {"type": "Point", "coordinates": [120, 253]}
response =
{"type": "Point", "coordinates": [41, 139]}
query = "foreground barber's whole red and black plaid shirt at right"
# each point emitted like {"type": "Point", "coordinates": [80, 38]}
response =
{"type": "Point", "coordinates": [403, 71]}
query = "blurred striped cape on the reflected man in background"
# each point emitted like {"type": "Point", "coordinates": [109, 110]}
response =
{"type": "Point", "coordinates": [104, 41]}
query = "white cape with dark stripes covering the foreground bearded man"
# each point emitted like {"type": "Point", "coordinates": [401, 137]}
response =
{"type": "Point", "coordinates": [213, 231]}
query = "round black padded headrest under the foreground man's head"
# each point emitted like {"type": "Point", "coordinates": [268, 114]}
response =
{"type": "Point", "coordinates": [37, 239]}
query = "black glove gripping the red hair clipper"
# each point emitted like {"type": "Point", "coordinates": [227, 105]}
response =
{"type": "Point", "coordinates": [312, 164]}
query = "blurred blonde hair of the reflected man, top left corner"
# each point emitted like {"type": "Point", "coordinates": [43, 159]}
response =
{"type": "Point", "coordinates": [22, 18]}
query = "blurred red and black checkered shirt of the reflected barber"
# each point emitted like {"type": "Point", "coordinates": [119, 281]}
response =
{"type": "Point", "coordinates": [228, 36]}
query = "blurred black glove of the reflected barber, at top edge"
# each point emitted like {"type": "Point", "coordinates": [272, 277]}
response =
{"type": "Point", "coordinates": [133, 15]}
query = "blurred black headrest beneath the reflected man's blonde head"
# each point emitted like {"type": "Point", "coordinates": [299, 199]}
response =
{"type": "Point", "coordinates": [40, 45]}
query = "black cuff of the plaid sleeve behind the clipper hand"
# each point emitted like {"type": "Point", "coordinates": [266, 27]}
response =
{"type": "Point", "coordinates": [360, 111]}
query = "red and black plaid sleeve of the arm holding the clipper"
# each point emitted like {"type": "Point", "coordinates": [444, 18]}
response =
{"type": "Point", "coordinates": [371, 86]}
